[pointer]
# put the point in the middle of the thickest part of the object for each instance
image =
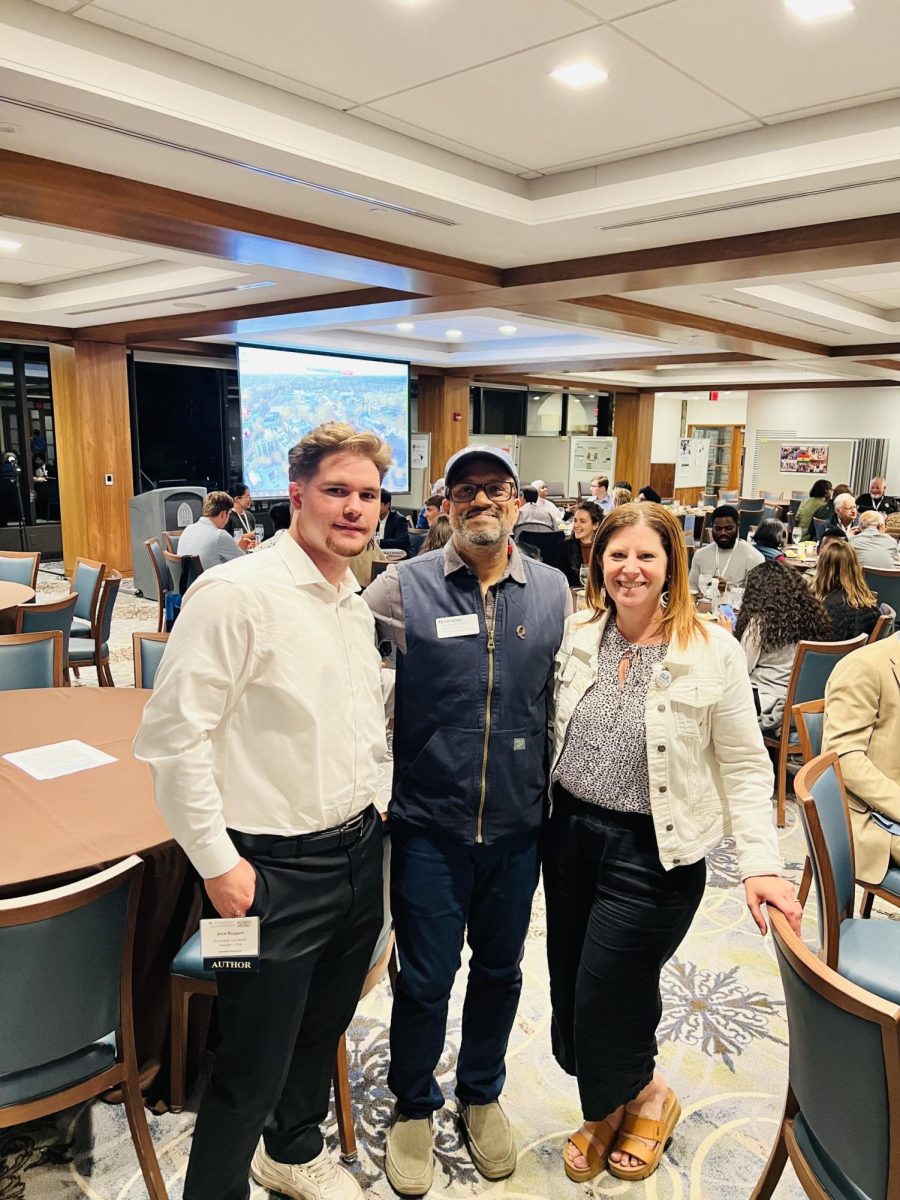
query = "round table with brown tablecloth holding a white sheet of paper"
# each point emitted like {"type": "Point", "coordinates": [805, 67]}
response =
{"type": "Point", "coordinates": [62, 830]}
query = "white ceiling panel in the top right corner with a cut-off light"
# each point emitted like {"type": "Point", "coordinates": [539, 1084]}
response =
{"type": "Point", "coordinates": [769, 62]}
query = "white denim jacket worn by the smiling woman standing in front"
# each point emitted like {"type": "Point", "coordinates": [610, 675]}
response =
{"type": "Point", "coordinates": [711, 777]}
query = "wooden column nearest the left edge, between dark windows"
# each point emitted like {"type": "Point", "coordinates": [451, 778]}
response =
{"type": "Point", "coordinates": [91, 411]}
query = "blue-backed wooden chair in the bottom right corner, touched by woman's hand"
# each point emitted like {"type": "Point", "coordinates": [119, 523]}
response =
{"type": "Point", "coordinates": [841, 1126]}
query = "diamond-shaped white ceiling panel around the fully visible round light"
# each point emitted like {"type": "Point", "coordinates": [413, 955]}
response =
{"type": "Point", "coordinates": [515, 110]}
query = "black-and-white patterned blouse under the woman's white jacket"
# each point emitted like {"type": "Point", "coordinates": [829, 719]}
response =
{"type": "Point", "coordinates": [604, 759]}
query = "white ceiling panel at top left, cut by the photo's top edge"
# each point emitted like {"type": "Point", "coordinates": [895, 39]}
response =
{"type": "Point", "coordinates": [356, 49]}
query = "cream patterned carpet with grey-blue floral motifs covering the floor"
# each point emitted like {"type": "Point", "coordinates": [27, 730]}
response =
{"type": "Point", "coordinates": [723, 1043]}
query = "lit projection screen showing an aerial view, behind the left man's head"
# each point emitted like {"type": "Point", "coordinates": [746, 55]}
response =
{"type": "Point", "coordinates": [287, 393]}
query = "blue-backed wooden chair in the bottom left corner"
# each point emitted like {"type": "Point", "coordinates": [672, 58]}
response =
{"type": "Point", "coordinates": [67, 1030]}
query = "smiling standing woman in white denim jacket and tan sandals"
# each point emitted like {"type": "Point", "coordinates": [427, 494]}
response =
{"type": "Point", "coordinates": [657, 758]}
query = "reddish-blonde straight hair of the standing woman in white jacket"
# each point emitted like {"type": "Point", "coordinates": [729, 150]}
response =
{"type": "Point", "coordinates": [680, 621]}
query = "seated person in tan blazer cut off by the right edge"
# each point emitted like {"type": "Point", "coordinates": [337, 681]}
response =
{"type": "Point", "coordinates": [862, 725]}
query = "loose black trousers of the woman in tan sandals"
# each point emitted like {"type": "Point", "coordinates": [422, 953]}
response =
{"type": "Point", "coordinates": [615, 917]}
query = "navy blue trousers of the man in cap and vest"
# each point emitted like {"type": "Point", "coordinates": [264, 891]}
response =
{"type": "Point", "coordinates": [445, 892]}
